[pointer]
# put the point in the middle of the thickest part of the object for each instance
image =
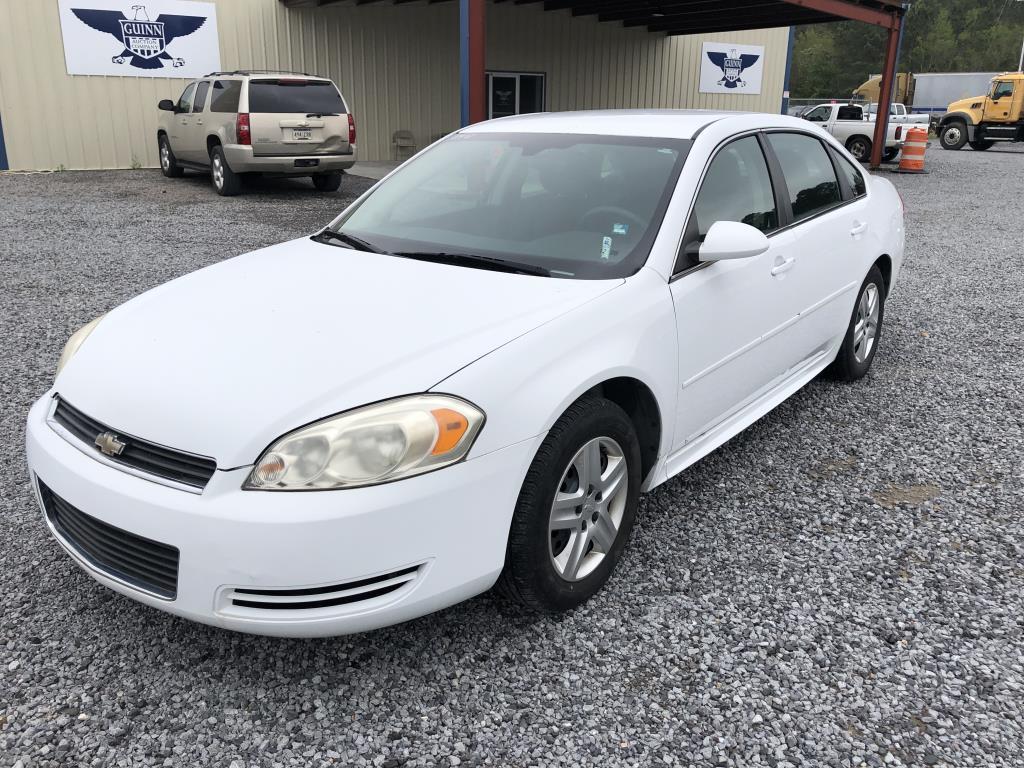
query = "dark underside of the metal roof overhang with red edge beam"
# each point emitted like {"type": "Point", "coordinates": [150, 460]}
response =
{"type": "Point", "coordinates": [695, 17]}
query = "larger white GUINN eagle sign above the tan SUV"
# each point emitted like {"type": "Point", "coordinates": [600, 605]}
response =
{"type": "Point", "coordinates": [156, 39]}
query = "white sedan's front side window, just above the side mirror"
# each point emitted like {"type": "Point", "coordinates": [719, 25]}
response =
{"type": "Point", "coordinates": [737, 188]}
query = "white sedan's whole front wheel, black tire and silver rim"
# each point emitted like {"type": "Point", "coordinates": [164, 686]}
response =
{"type": "Point", "coordinates": [576, 509]}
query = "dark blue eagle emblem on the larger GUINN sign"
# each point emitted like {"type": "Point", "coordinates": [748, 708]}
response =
{"type": "Point", "coordinates": [145, 41]}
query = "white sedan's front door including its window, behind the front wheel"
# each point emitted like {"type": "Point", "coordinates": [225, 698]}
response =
{"type": "Point", "coordinates": [734, 317]}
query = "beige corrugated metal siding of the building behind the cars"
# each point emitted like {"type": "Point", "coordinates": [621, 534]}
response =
{"type": "Point", "coordinates": [397, 65]}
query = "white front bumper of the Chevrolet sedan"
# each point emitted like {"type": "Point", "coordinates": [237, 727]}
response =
{"type": "Point", "coordinates": [449, 528]}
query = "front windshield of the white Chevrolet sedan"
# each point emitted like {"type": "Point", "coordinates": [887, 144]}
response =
{"type": "Point", "coordinates": [574, 206]}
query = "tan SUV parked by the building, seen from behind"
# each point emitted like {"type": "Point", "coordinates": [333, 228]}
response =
{"type": "Point", "coordinates": [276, 123]}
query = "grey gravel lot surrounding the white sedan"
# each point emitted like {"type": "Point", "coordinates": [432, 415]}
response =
{"type": "Point", "coordinates": [842, 585]}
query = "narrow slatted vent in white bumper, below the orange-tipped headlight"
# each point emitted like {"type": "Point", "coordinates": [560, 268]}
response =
{"type": "Point", "coordinates": [324, 598]}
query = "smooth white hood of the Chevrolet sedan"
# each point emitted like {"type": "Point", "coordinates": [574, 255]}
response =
{"type": "Point", "coordinates": [225, 361]}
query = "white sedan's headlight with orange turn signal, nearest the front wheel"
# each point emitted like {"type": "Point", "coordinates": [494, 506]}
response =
{"type": "Point", "coordinates": [372, 445]}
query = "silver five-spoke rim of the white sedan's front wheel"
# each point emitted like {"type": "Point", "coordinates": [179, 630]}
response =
{"type": "Point", "coordinates": [588, 508]}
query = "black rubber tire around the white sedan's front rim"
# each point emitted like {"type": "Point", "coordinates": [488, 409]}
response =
{"type": "Point", "coordinates": [531, 577]}
